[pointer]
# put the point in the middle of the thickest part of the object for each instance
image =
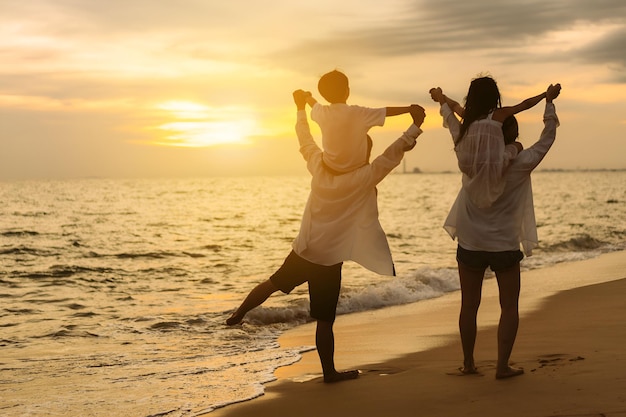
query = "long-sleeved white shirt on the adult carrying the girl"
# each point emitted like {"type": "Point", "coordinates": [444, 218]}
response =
{"type": "Point", "coordinates": [510, 220]}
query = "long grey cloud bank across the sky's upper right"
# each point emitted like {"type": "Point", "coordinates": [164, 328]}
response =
{"type": "Point", "coordinates": [463, 27]}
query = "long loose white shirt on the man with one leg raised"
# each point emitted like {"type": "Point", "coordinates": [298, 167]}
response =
{"type": "Point", "coordinates": [340, 221]}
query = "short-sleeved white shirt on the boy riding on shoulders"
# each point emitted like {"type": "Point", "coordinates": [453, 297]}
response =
{"type": "Point", "coordinates": [344, 133]}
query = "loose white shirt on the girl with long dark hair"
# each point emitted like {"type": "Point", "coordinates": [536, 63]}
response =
{"type": "Point", "coordinates": [483, 159]}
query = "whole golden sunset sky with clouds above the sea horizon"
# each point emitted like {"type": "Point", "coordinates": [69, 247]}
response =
{"type": "Point", "coordinates": [145, 88]}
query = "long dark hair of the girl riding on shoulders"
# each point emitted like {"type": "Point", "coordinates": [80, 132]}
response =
{"type": "Point", "coordinates": [483, 97]}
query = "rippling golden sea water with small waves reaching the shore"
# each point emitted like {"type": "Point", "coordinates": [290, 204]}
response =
{"type": "Point", "coordinates": [114, 292]}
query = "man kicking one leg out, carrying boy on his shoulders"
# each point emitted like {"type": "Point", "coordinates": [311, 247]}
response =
{"type": "Point", "coordinates": [340, 223]}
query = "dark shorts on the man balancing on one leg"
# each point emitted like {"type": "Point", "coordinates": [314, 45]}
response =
{"type": "Point", "coordinates": [324, 284]}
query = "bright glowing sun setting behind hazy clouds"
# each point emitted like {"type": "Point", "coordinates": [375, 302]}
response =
{"type": "Point", "coordinates": [197, 125]}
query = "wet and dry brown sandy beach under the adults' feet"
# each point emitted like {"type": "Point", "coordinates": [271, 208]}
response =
{"type": "Point", "coordinates": [571, 343]}
